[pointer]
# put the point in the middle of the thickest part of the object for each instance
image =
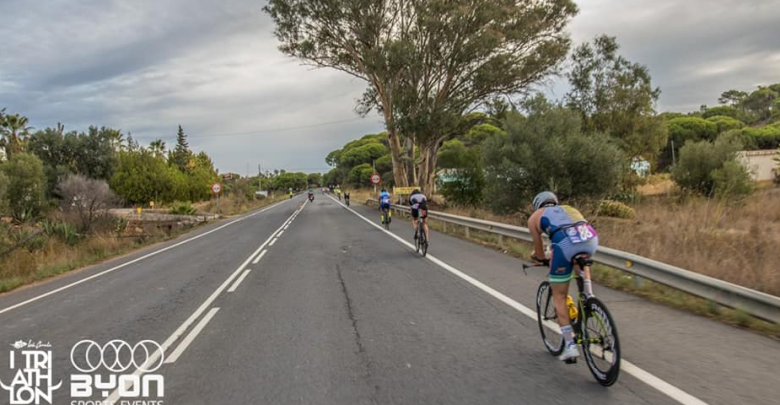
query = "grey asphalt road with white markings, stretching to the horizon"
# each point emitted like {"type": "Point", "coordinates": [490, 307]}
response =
{"type": "Point", "coordinates": [313, 303]}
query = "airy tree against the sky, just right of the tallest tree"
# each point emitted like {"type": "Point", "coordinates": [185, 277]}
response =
{"type": "Point", "coordinates": [616, 96]}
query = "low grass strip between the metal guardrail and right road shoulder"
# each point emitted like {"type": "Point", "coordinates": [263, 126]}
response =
{"type": "Point", "coordinates": [623, 281]}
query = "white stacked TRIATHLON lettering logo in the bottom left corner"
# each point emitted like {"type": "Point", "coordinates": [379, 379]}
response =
{"type": "Point", "coordinates": [32, 382]}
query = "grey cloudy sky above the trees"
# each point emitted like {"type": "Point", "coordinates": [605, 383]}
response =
{"type": "Point", "coordinates": [146, 66]}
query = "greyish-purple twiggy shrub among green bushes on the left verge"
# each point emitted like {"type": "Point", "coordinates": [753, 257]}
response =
{"type": "Point", "coordinates": [88, 198]}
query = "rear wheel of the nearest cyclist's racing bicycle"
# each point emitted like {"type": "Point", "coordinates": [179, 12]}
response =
{"type": "Point", "coordinates": [600, 342]}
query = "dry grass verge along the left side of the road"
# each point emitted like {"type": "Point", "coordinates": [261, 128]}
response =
{"type": "Point", "coordinates": [23, 266]}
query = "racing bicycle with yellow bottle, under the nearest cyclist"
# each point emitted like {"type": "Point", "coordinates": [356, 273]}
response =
{"type": "Point", "coordinates": [593, 325]}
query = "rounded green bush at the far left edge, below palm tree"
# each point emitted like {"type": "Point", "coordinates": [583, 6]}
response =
{"type": "Point", "coordinates": [26, 186]}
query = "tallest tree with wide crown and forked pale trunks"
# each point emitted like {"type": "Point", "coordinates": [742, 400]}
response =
{"type": "Point", "coordinates": [426, 62]}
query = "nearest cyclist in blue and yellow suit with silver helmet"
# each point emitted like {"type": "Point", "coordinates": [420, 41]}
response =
{"type": "Point", "coordinates": [570, 235]}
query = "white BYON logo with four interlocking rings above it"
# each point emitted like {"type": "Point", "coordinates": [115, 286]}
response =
{"type": "Point", "coordinates": [129, 369]}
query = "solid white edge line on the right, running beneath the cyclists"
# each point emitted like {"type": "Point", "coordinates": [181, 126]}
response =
{"type": "Point", "coordinates": [626, 366]}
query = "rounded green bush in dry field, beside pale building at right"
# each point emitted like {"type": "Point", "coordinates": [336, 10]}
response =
{"type": "Point", "coordinates": [704, 168]}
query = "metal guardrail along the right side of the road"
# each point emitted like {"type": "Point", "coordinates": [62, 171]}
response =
{"type": "Point", "coordinates": [756, 303]}
